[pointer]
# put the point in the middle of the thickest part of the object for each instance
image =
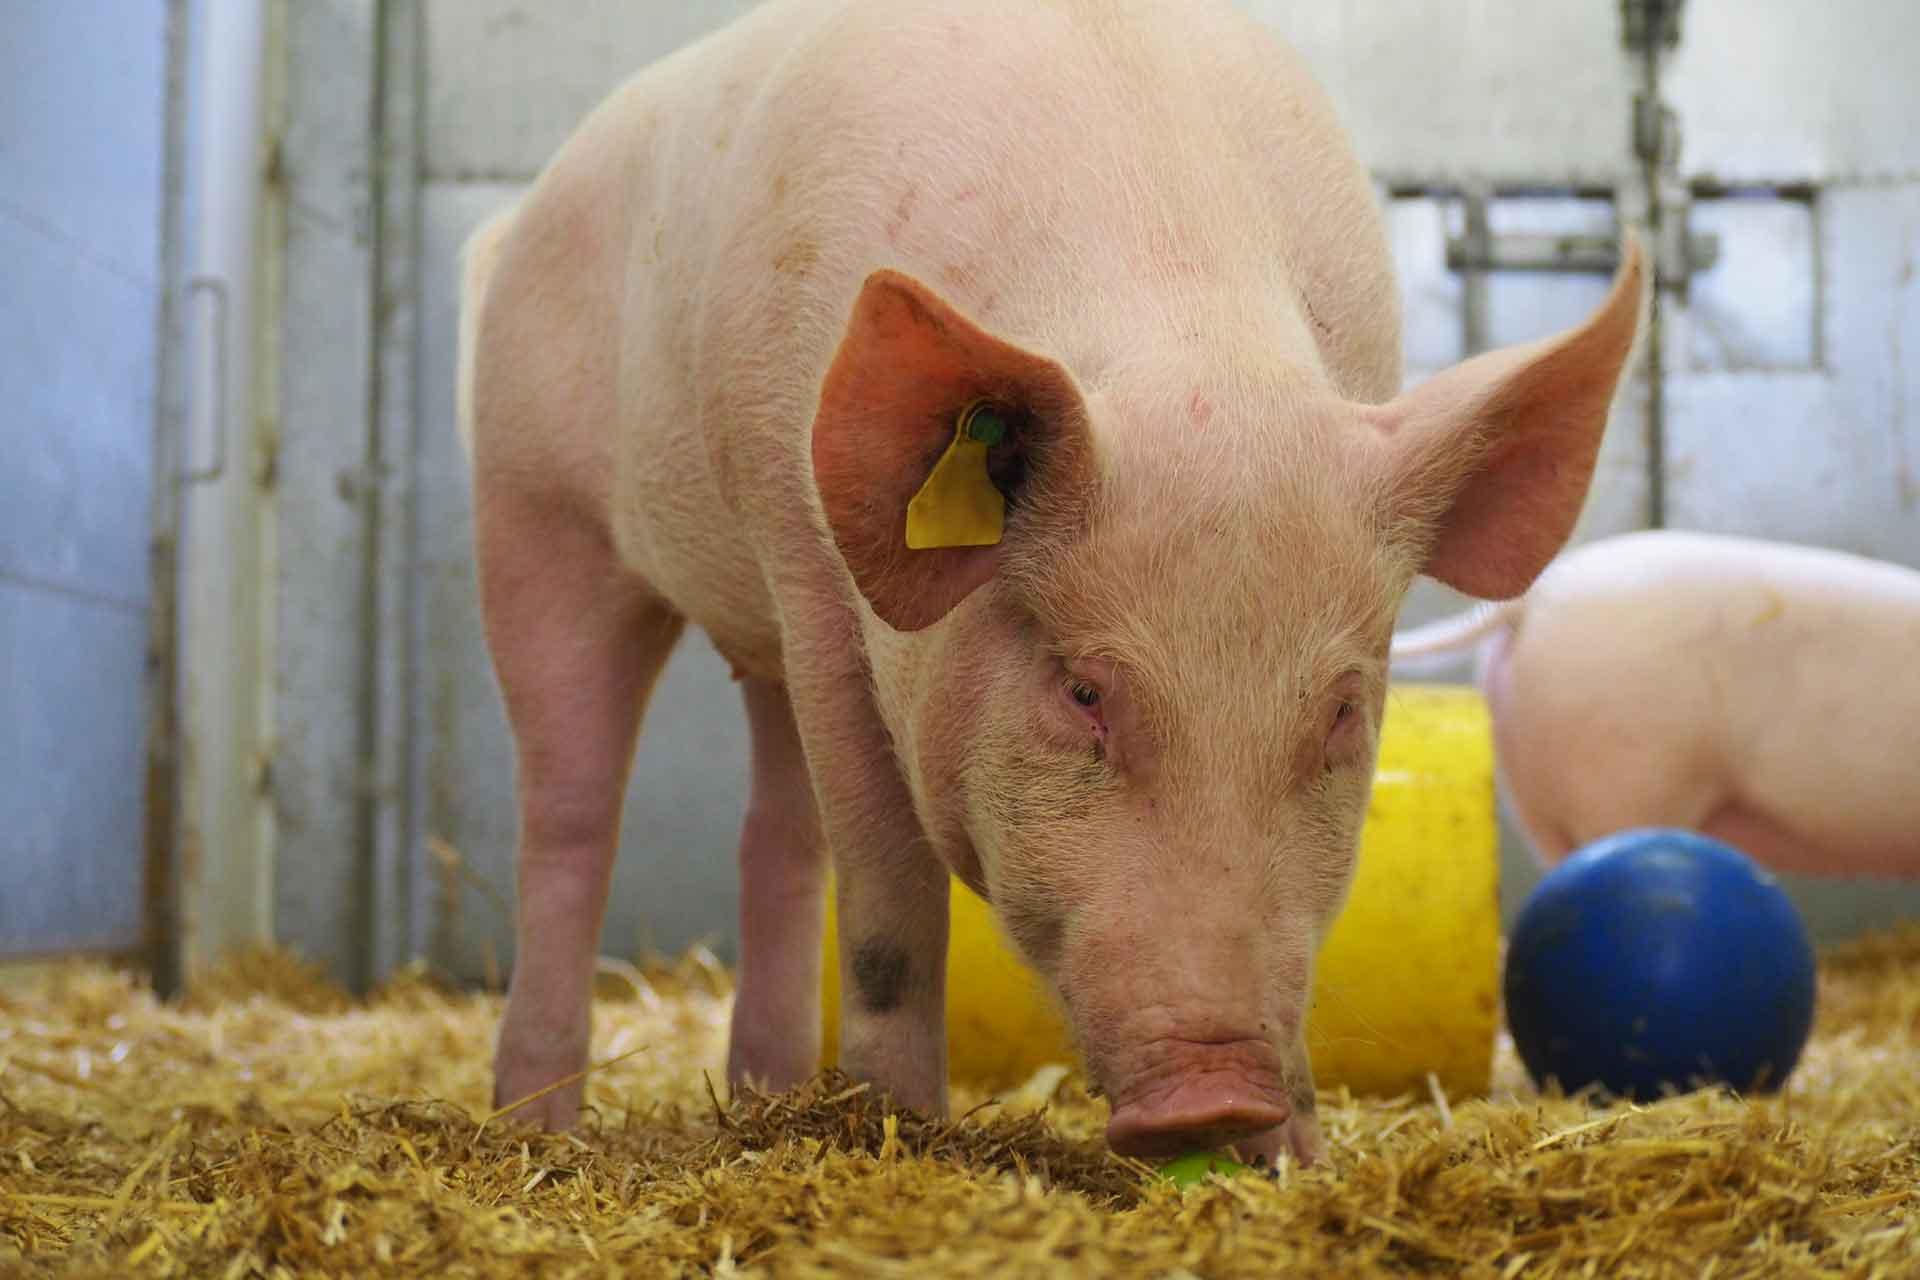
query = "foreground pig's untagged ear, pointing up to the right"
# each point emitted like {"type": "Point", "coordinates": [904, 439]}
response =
{"type": "Point", "coordinates": [1495, 456]}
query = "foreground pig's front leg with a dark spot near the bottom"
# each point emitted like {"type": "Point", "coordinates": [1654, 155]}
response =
{"type": "Point", "coordinates": [890, 886]}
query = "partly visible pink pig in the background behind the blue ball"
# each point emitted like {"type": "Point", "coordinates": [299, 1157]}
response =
{"type": "Point", "coordinates": [1756, 692]}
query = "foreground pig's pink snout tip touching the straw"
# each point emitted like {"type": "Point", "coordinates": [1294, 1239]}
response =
{"type": "Point", "coordinates": [1203, 1095]}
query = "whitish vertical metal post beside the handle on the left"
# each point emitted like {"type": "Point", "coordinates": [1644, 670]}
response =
{"type": "Point", "coordinates": [226, 876]}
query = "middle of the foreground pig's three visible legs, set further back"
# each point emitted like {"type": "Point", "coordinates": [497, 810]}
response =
{"type": "Point", "coordinates": [782, 888]}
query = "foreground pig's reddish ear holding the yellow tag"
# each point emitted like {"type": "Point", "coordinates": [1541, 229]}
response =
{"type": "Point", "coordinates": [907, 367]}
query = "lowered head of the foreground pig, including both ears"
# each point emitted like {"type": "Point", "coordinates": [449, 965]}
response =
{"type": "Point", "coordinates": [1145, 728]}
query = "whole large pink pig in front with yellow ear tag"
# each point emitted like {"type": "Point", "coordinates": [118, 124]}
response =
{"type": "Point", "coordinates": [709, 366]}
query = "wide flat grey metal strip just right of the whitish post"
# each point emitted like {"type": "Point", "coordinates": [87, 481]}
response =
{"type": "Point", "coordinates": [324, 394]}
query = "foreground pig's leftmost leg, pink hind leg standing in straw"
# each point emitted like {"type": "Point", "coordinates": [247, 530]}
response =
{"type": "Point", "coordinates": [577, 644]}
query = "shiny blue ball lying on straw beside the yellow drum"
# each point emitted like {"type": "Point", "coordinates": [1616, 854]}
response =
{"type": "Point", "coordinates": [1660, 959]}
